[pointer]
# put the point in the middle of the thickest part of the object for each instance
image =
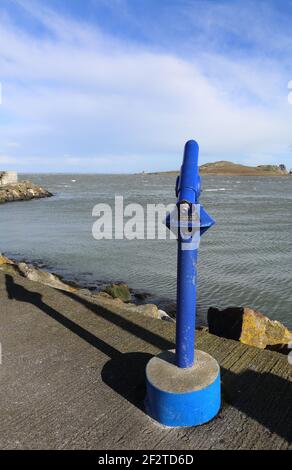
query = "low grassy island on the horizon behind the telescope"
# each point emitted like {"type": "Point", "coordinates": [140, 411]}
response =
{"type": "Point", "coordinates": [224, 168]}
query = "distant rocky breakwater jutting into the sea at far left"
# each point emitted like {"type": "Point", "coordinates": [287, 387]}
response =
{"type": "Point", "coordinates": [22, 191]}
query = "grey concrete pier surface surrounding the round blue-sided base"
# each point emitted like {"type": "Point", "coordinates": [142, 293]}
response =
{"type": "Point", "coordinates": [73, 377]}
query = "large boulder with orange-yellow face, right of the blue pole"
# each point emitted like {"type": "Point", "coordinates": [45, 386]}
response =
{"type": "Point", "coordinates": [249, 327]}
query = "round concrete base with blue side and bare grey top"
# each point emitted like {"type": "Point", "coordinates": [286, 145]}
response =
{"type": "Point", "coordinates": [182, 397]}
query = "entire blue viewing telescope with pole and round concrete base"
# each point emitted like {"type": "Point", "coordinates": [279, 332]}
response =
{"type": "Point", "coordinates": [183, 386]}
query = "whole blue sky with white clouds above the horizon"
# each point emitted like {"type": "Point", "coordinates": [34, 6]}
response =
{"type": "Point", "coordinates": [118, 86]}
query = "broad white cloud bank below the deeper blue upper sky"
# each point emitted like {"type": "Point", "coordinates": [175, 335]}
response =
{"type": "Point", "coordinates": [82, 92]}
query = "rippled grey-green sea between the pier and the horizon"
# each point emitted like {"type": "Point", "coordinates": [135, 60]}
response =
{"type": "Point", "coordinates": [246, 259]}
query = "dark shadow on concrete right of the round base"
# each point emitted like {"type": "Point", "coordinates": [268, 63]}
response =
{"type": "Point", "coordinates": [265, 397]}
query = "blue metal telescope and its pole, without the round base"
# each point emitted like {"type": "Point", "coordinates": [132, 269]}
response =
{"type": "Point", "coordinates": [188, 188]}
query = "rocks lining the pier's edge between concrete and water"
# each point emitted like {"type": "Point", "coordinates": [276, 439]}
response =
{"type": "Point", "coordinates": [241, 324]}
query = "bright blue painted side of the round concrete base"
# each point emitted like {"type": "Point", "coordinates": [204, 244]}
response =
{"type": "Point", "coordinates": [184, 409]}
